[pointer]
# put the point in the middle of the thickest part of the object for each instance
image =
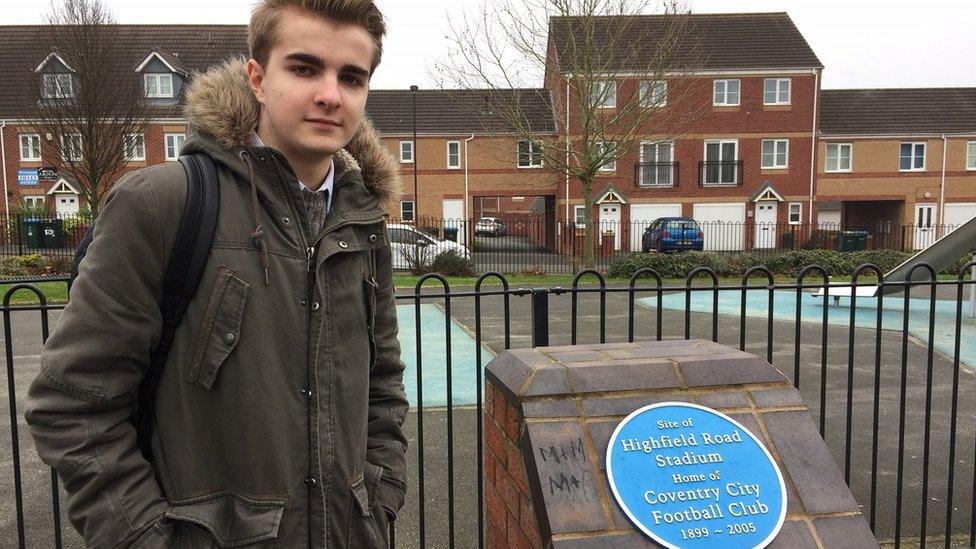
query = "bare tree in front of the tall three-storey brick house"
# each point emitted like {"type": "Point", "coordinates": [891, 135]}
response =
{"type": "Point", "coordinates": [577, 48]}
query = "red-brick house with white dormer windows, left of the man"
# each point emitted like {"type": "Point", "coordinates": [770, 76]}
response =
{"type": "Point", "coordinates": [165, 55]}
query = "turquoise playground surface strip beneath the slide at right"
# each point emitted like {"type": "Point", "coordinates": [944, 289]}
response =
{"type": "Point", "coordinates": [839, 314]}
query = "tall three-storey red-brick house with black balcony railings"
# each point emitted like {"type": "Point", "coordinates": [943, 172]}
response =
{"type": "Point", "coordinates": [744, 161]}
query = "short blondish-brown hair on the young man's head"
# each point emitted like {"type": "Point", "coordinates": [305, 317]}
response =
{"type": "Point", "coordinates": [262, 33]}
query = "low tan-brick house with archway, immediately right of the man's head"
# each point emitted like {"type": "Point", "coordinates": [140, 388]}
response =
{"type": "Point", "coordinates": [468, 164]}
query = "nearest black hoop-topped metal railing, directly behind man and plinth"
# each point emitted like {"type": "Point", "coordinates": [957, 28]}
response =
{"type": "Point", "coordinates": [889, 380]}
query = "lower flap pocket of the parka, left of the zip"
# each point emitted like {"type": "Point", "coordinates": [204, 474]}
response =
{"type": "Point", "coordinates": [231, 519]}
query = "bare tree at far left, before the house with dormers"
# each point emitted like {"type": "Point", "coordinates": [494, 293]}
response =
{"type": "Point", "coordinates": [88, 97]}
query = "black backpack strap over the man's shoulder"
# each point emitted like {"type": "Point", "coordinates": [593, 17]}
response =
{"type": "Point", "coordinates": [183, 273]}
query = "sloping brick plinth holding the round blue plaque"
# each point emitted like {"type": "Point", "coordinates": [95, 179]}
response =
{"type": "Point", "coordinates": [551, 411]}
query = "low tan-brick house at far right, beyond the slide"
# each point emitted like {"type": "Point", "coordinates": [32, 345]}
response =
{"type": "Point", "coordinates": [899, 163]}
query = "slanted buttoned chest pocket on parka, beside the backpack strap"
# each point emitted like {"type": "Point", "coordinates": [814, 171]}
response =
{"type": "Point", "coordinates": [221, 328]}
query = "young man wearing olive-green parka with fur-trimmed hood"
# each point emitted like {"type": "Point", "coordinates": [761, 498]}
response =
{"type": "Point", "coordinates": [279, 410]}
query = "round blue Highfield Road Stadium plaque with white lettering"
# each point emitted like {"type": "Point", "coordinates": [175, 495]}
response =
{"type": "Point", "coordinates": [689, 476]}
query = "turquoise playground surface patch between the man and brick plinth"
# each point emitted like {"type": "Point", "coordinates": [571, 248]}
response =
{"type": "Point", "coordinates": [464, 368]}
